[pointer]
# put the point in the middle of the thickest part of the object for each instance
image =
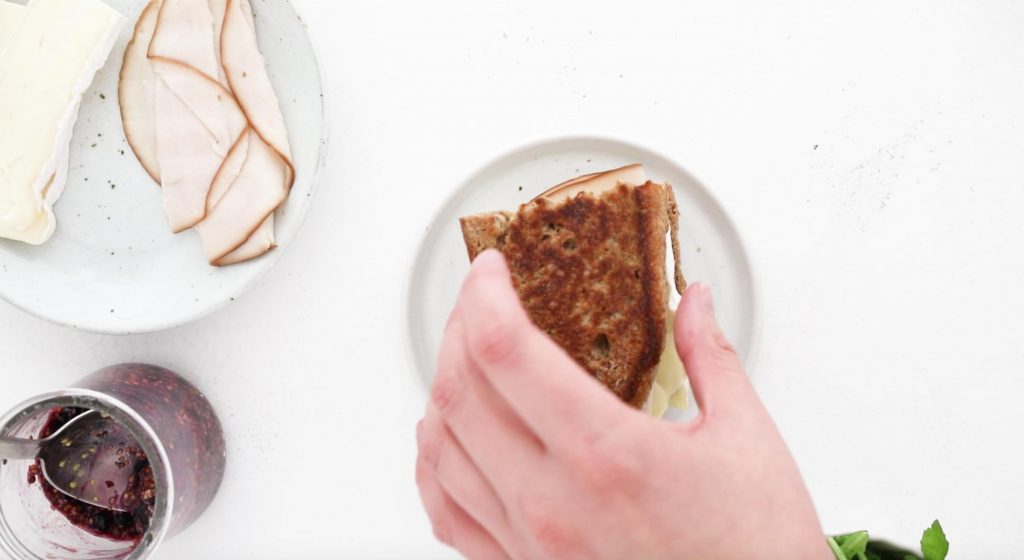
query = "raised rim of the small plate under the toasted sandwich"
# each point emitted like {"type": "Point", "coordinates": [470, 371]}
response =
{"type": "Point", "coordinates": [757, 312]}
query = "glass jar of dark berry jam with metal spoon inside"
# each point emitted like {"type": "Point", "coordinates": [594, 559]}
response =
{"type": "Point", "coordinates": [173, 456]}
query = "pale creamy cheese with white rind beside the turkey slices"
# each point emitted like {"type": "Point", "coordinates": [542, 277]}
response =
{"type": "Point", "coordinates": [47, 66]}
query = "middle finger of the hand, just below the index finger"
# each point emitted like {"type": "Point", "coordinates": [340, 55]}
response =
{"type": "Point", "coordinates": [493, 437]}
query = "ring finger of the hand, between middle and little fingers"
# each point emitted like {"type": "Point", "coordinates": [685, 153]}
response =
{"type": "Point", "coordinates": [459, 477]}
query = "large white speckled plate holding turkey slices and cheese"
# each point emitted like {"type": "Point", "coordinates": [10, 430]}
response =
{"type": "Point", "coordinates": [113, 267]}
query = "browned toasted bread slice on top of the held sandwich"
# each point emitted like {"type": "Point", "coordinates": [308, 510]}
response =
{"type": "Point", "coordinates": [590, 271]}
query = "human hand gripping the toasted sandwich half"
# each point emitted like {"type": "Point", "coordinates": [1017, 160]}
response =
{"type": "Point", "coordinates": [524, 455]}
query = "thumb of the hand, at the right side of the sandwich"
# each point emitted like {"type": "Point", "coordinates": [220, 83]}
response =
{"type": "Point", "coordinates": [714, 370]}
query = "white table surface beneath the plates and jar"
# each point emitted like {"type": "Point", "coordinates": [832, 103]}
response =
{"type": "Point", "coordinates": [871, 152]}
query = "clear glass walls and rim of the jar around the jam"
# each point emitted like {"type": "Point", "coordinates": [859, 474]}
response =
{"type": "Point", "coordinates": [176, 427]}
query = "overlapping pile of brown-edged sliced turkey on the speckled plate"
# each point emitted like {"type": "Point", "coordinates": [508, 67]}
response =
{"type": "Point", "coordinates": [203, 118]}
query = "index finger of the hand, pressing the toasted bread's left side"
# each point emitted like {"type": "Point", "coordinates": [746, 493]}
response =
{"type": "Point", "coordinates": [553, 396]}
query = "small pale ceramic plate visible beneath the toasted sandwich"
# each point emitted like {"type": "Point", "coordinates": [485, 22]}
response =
{"type": "Point", "coordinates": [712, 250]}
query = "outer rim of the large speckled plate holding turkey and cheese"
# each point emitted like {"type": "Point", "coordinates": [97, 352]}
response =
{"type": "Point", "coordinates": [263, 269]}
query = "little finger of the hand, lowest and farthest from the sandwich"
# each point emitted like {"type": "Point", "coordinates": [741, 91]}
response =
{"type": "Point", "coordinates": [452, 525]}
